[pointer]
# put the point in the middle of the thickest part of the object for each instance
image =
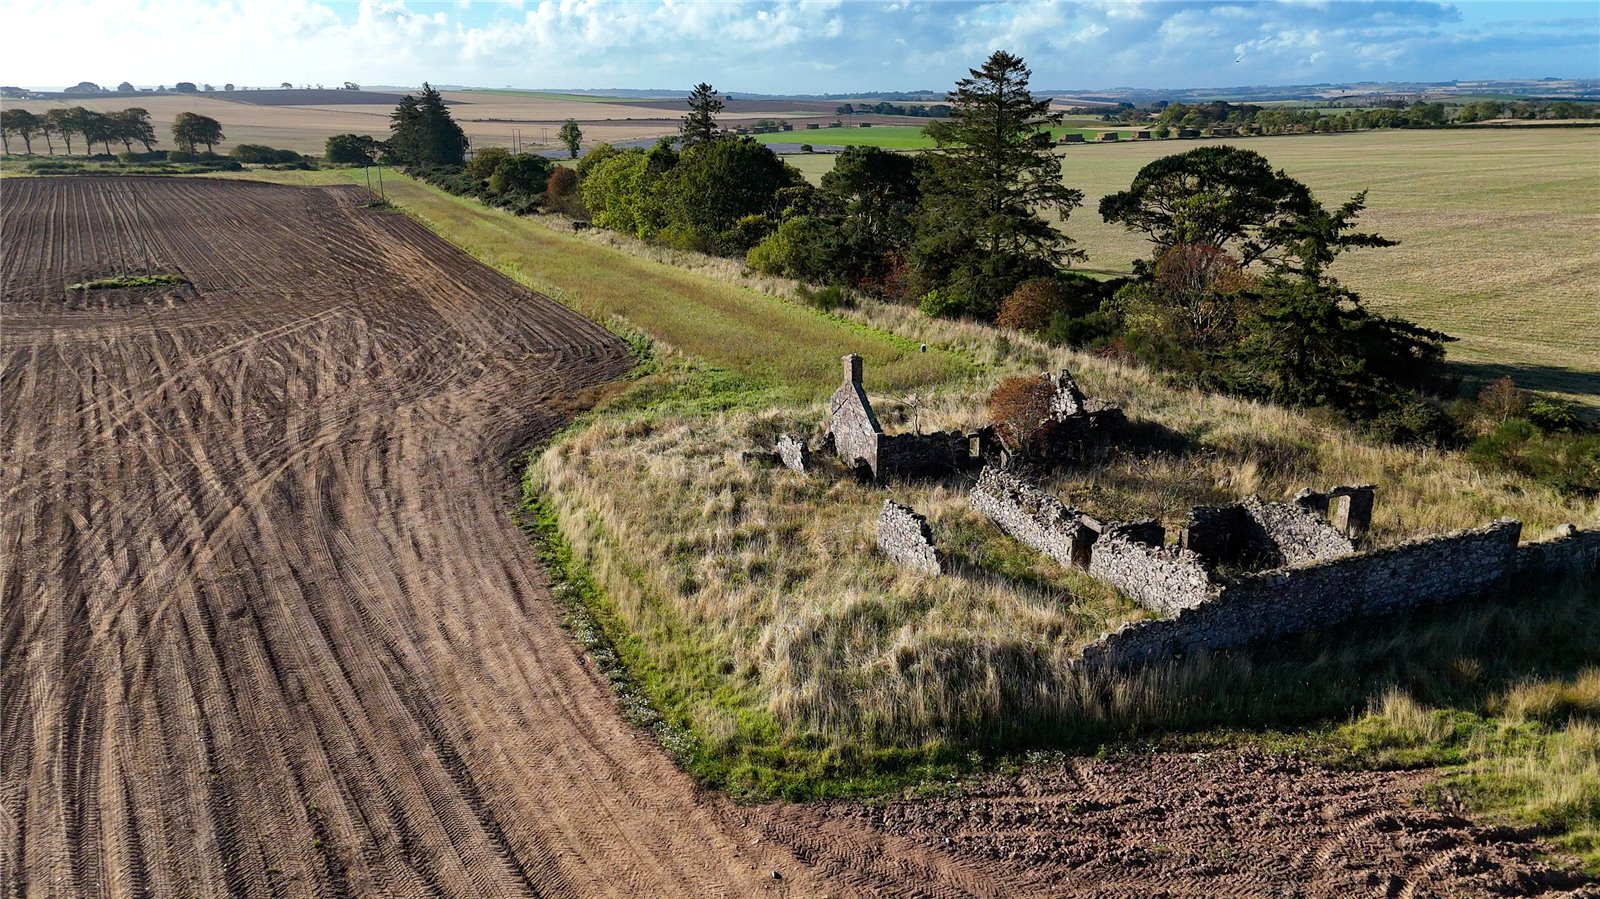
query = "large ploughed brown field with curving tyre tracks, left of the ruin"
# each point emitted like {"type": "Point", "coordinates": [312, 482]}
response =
{"type": "Point", "coordinates": [268, 629]}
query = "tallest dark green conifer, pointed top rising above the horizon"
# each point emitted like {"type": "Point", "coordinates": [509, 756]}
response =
{"type": "Point", "coordinates": [982, 225]}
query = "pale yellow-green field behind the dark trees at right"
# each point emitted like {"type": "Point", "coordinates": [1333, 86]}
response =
{"type": "Point", "coordinates": [1500, 236]}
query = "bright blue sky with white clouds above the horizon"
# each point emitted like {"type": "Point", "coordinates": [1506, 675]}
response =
{"type": "Point", "coordinates": [791, 46]}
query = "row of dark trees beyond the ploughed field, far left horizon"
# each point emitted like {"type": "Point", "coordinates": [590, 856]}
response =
{"type": "Point", "coordinates": [127, 127]}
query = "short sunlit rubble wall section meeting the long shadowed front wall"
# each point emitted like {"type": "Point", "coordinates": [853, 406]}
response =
{"type": "Point", "coordinates": [1159, 578]}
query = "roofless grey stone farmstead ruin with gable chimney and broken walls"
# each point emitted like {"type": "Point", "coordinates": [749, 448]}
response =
{"type": "Point", "coordinates": [1234, 575]}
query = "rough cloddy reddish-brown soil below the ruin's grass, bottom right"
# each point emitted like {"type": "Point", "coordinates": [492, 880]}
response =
{"type": "Point", "coordinates": [1220, 825]}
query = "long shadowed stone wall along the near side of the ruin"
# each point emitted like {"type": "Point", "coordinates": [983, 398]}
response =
{"type": "Point", "coordinates": [1289, 601]}
